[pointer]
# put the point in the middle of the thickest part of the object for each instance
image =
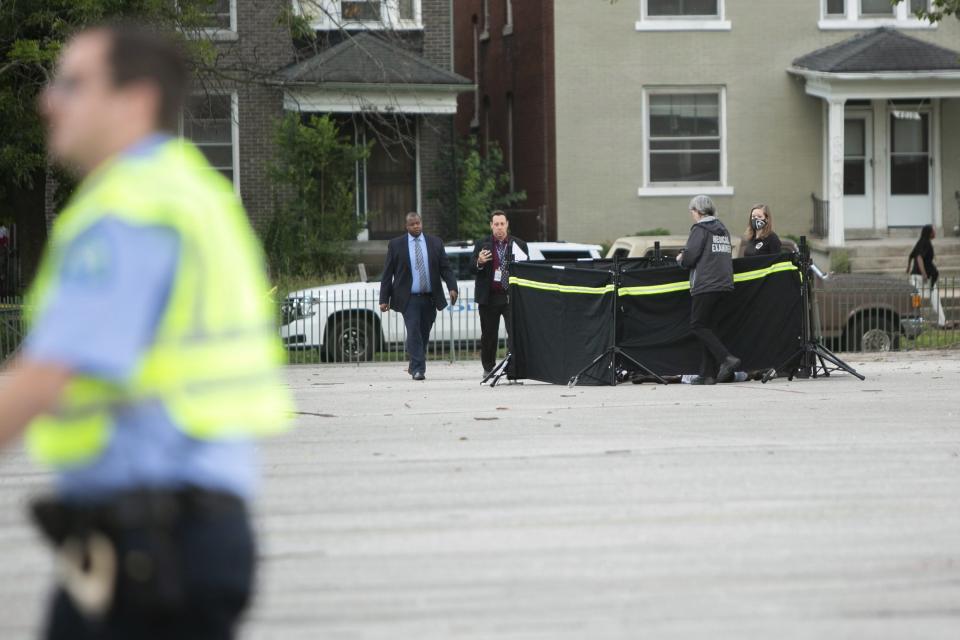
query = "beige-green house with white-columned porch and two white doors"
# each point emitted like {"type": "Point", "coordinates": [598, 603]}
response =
{"type": "Point", "coordinates": [847, 107]}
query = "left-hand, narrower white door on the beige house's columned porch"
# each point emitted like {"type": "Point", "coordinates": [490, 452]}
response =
{"type": "Point", "coordinates": [858, 171]}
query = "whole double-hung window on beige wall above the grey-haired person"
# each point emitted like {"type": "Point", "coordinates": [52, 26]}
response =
{"type": "Point", "coordinates": [684, 141]}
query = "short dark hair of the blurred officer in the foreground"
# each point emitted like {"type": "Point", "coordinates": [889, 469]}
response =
{"type": "Point", "coordinates": [138, 53]}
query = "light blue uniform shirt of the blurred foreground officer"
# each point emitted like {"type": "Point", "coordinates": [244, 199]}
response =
{"type": "Point", "coordinates": [107, 303]}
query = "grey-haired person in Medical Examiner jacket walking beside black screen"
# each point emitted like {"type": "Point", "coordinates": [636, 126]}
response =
{"type": "Point", "coordinates": [709, 257]}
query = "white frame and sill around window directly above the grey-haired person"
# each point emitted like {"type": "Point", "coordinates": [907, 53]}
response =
{"type": "Point", "coordinates": [659, 189]}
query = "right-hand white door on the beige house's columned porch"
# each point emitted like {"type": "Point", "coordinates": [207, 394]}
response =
{"type": "Point", "coordinates": [910, 203]}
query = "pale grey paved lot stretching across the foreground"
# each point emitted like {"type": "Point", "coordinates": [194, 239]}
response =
{"type": "Point", "coordinates": [402, 510]}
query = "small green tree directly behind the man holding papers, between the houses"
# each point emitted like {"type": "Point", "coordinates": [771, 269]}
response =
{"type": "Point", "coordinates": [482, 186]}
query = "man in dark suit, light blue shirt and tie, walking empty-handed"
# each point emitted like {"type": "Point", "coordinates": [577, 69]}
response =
{"type": "Point", "coordinates": [412, 284]}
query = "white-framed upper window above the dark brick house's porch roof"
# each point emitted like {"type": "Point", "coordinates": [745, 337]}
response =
{"type": "Point", "coordinates": [366, 14]}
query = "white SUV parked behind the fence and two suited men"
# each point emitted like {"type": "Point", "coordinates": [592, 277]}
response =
{"type": "Point", "coordinates": [345, 324]}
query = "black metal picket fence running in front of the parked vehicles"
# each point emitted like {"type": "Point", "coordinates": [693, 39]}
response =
{"type": "Point", "coordinates": [852, 313]}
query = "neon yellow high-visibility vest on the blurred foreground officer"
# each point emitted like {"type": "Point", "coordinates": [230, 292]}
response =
{"type": "Point", "coordinates": [216, 360]}
